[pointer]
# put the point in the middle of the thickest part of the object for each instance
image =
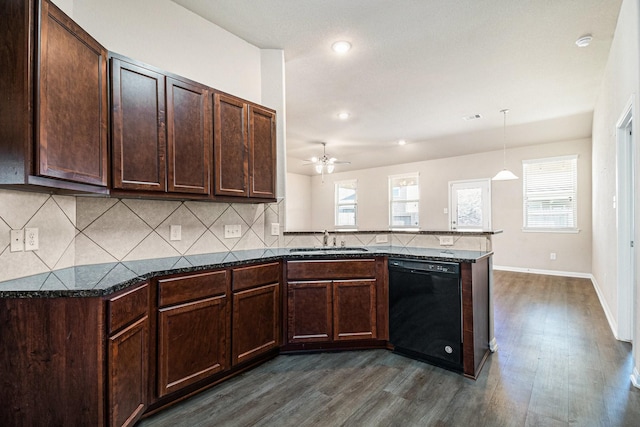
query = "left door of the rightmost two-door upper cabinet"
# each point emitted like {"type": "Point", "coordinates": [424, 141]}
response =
{"type": "Point", "coordinates": [230, 146]}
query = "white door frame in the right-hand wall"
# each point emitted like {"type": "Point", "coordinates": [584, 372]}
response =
{"type": "Point", "coordinates": [625, 217]}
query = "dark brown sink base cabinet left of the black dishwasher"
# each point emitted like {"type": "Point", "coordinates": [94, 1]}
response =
{"type": "Point", "coordinates": [330, 301]}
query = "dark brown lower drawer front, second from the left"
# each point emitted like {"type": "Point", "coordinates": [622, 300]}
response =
{"type": "Point", "coordinates": [176, 290]}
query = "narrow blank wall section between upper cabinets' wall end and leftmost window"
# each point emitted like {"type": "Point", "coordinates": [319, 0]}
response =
{"type": "Point", "coordinates": [298, 202]}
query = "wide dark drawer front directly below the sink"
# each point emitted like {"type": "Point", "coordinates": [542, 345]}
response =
{"type": "Point", "coordinates": [334, 269]}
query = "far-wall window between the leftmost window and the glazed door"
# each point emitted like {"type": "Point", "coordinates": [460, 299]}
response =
{"type": "Point", "coordinates": [404, 200]}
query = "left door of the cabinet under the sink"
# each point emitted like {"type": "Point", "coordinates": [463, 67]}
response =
{"type": "Point", "coordinates": [309, 312]}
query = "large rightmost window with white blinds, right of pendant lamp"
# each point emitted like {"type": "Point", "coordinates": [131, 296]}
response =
{"type": "Point", "coordinates": [549, 194]}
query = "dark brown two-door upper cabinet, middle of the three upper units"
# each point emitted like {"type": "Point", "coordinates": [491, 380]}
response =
{"type": "Point", "coordinates": [161, 130]}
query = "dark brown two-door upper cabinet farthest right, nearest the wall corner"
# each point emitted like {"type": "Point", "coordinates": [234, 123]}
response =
{"type": "Point", "coordinates": [244, 148]}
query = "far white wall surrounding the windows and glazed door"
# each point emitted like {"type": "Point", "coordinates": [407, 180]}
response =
{"type": "Point", "coordinates": [513, 248]}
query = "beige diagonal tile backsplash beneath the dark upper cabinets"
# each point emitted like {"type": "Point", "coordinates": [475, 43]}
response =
{"type": "Point", "coordinates": [89, 230]}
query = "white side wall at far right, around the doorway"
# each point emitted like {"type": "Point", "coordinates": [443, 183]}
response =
{"type": "Point", "coordinates": [621, 82]}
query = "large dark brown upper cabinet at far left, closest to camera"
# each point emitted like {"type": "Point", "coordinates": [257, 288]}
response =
{"type": "Point", "coordinates": [54, 104]}
